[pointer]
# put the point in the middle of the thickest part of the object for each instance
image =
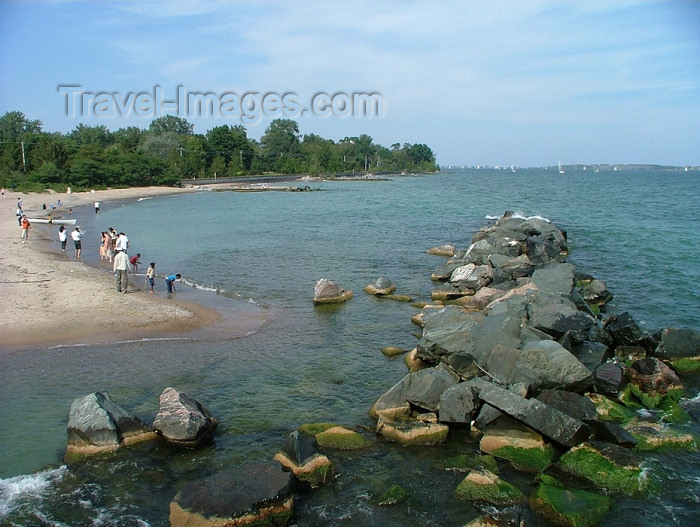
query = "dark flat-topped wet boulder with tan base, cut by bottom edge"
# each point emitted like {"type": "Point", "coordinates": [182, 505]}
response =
{"type": "Point", "coordinates": [260, 494]}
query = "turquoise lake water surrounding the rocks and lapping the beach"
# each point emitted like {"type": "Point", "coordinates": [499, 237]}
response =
{"type": "Point", "coordinates": [263, 252]}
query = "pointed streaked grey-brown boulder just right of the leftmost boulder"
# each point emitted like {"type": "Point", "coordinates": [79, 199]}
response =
{"type": "Point", "coordinates": [182, 420]}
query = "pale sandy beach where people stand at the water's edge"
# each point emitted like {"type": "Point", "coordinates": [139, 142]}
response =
{"type": "Point", "coordinates": [50, 299]}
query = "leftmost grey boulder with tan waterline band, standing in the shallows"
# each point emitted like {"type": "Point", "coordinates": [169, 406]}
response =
{"type": "Point", "coordinates": [97, 424]}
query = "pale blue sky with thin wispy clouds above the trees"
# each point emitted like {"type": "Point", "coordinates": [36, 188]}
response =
{"type": "Point", "coordinates": [493, 83]}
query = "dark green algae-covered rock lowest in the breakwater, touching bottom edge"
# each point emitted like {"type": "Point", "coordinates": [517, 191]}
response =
{"type": "Point", "coordinates": [567, 507]}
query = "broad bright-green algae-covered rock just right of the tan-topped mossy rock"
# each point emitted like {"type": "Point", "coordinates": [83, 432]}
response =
{"type": "Point", "coordinates": [609, 467]}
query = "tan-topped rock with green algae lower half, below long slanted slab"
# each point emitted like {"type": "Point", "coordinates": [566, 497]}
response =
{"type": "Point", "coordinates": [523, 447]}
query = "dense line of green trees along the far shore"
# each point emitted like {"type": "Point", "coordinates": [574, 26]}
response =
{"type": "Point", "coordinates": [169, 151]}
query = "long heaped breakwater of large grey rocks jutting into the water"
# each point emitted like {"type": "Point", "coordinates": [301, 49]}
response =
{"type": "Point", "coordinates": [515, 349]}
